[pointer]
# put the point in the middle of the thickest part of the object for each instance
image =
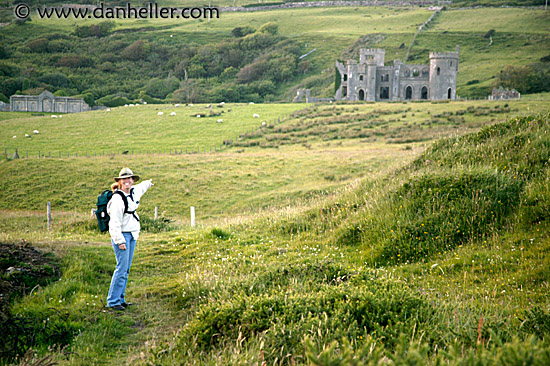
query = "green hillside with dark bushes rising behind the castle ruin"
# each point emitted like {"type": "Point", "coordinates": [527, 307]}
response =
{"type": "Point", "coordinates": [149, 58]}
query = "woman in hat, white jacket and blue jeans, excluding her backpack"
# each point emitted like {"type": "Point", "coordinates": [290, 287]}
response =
{"type": "Point", "coordinates": [124, 229]}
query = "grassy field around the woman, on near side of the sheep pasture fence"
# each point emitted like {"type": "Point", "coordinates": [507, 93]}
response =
{"type": "Point", "coordinates": [346, 251]}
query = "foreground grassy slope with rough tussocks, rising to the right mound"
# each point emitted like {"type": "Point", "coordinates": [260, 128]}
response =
{"type": "Point", "coordinates": [441, 260]}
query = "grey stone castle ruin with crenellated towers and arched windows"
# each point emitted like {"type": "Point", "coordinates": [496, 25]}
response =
{"type": "Point", "coordinates": [370, 80]}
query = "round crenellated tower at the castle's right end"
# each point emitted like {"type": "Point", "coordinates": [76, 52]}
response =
{"type": "Point", "coordinates": [443, 71]}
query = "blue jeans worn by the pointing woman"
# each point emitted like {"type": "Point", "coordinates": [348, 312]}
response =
{"type": "Point", "coordinates": [122, 270]}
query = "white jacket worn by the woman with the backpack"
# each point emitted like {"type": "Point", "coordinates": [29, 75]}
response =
{"type": "Point", "coordinates": [121, 222]}
